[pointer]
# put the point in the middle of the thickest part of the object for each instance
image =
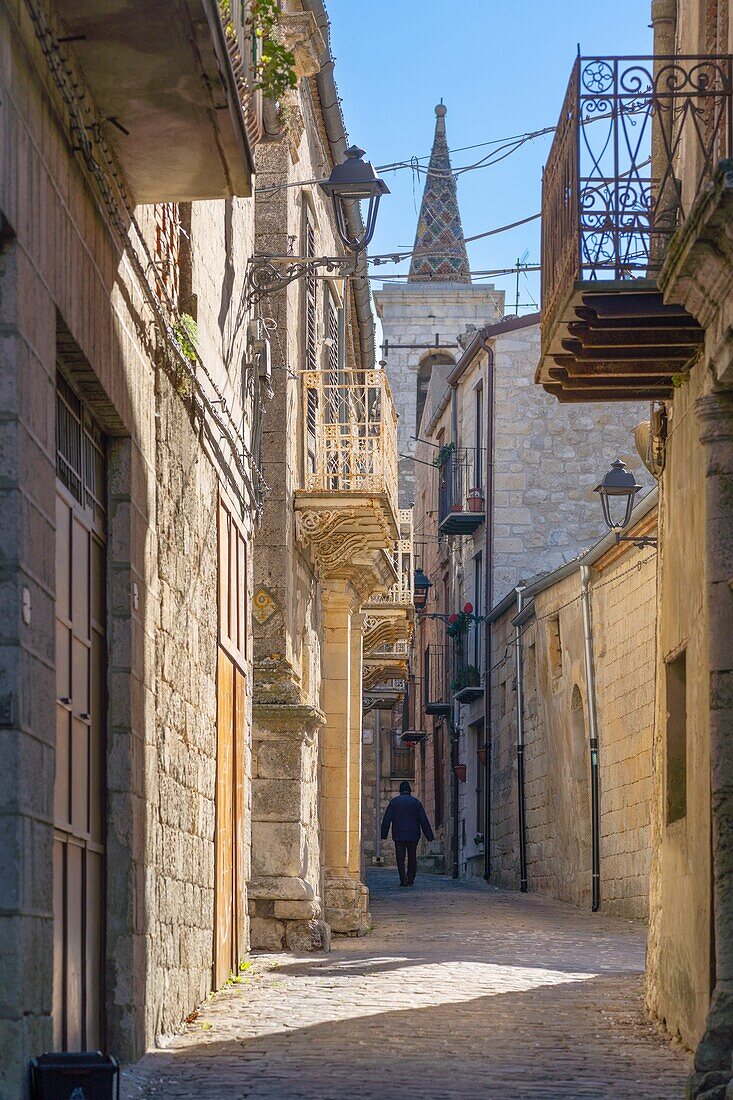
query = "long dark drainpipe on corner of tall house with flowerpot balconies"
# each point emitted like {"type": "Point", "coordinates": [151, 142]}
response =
{"type": "Point", "coordinates": [488, 585]}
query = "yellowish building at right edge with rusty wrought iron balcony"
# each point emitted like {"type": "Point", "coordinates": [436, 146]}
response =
{"type": "Point", "coordinates": [661, 298]}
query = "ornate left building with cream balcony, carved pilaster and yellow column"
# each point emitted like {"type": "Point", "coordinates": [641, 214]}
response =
{"type": "Point", "coordinates": [321, 560]}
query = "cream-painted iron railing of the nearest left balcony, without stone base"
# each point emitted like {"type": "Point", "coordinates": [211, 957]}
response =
{"type": "Point", "coordinates": [351, 427]}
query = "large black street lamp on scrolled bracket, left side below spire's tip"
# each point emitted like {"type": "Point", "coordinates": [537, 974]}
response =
{"type": "Point", "coordinates": [354, 181]}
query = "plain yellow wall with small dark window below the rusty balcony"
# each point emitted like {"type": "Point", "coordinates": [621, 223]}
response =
{"type": "Point", "coordinates": [680, 949]}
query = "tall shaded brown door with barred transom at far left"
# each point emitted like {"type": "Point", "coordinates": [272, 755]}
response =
{"type": "Point", "coordinates": [81, 706]}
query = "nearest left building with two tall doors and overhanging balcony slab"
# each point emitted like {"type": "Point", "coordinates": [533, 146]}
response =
{"type": "Point", "coordinates": [130, 492]}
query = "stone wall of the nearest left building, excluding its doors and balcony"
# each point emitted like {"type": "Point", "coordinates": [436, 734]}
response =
{"type": "Point", "coordinates": [70, 295]}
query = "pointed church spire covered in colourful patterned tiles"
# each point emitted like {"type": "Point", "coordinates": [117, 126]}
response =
{"type": "Point", "coordinates": [440, 252]}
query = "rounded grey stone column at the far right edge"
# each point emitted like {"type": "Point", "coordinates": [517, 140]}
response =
{"type": "Point", "coordinates": [713, 1059]}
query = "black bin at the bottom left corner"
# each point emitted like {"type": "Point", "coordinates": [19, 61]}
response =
{"type": "Point", "coordinates": [90, 1075]}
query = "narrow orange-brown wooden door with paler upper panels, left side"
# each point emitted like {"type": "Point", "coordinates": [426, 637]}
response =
{"type": "Point", "coordinates": [232, 724]}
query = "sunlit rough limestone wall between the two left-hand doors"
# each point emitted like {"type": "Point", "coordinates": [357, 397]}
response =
{"type": "Point", "coordinates": [183, 740]}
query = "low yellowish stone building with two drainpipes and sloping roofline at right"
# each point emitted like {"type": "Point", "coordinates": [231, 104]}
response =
{"type": "Point", "coordinates": [556, 707]}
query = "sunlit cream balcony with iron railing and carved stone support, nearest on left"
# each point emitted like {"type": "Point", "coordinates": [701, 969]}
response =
{"type": "Point", "coordinates": [347, 511]}
